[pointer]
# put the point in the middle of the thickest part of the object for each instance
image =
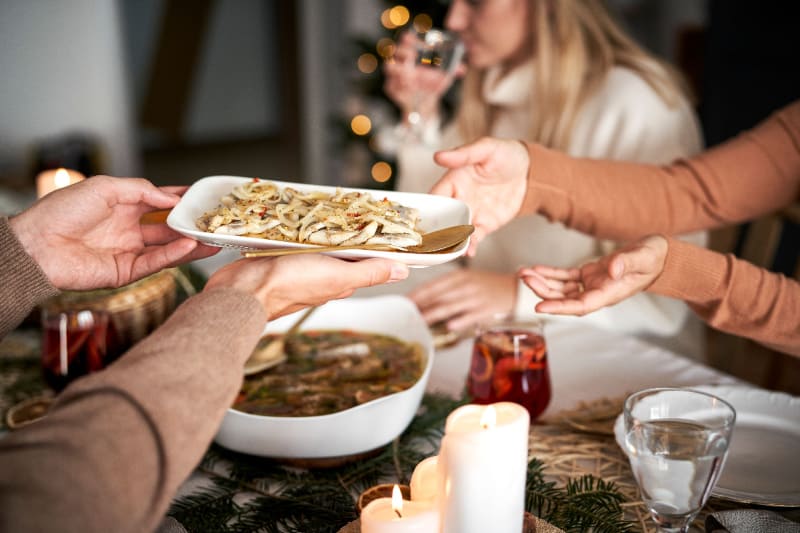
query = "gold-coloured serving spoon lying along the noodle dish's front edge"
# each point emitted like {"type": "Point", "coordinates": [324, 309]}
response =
{"type": "Point", "coordinates": [435, 241]}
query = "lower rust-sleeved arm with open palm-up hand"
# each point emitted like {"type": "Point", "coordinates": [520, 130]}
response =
{"type": "Point", "coordinates": [728, 293]}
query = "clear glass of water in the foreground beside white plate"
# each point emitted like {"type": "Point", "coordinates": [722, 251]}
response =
{"type": "Point", "coordinates": [677, 441]}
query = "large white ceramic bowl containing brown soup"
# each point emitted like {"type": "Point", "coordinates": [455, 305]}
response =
{"type": "Point", "coordinates": [356, 430]}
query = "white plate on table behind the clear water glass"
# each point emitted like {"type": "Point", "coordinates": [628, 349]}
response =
{"type": "Point", "coordinates": [763, 466]}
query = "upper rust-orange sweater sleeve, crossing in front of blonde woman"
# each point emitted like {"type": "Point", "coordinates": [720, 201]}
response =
{"type": "Point", "coordinates": [752, 175]}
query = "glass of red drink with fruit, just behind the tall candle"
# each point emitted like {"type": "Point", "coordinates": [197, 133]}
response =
{"type": "Point", "coordinates": [509, 363]}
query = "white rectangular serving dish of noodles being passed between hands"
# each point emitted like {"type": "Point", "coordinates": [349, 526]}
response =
{"type": "Point", "coordinates": [435, 212]}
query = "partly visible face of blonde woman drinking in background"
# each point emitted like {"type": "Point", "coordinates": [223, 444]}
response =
{"type": "Point", "coordinates": [493, 31]}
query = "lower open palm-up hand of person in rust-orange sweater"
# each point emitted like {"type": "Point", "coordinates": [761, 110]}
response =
{"type": "Point", "coordinates": [607, 281]}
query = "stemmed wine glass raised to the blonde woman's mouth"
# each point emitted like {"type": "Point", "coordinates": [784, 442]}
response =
{"type": "Point", "coordinates": [438, 55]}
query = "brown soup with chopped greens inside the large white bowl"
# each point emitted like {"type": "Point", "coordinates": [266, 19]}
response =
{"type": "Point", "coordinates": [332, 370]}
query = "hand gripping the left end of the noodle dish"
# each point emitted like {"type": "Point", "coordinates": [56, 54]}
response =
{"type": "Point", "coordinates": [88, 235]}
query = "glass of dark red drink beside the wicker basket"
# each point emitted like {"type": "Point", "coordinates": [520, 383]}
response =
{"type": "Point", "coordinates": [75, 343]}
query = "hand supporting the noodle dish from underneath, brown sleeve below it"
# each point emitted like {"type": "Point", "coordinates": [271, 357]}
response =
{"type": "Point", "coordinates": [286, 284]}
